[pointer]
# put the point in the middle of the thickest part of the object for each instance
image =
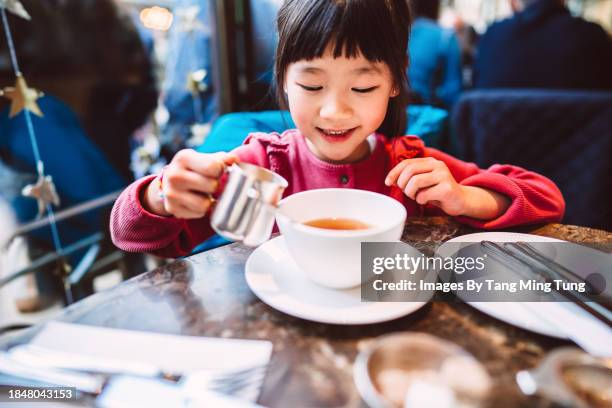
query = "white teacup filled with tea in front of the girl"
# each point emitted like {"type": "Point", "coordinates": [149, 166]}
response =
{"type": "Point", "coordinates": [332, 258]}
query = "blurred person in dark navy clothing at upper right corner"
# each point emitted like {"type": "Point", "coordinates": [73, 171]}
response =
{"type": "Point", "coordinates": [543, 46]}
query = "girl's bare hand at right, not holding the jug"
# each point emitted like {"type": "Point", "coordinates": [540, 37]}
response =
{"type": "Point", "coordinates": [429, 181]}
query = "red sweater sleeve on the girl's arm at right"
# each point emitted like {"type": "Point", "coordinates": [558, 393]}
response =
{"type": "Point", "coordinates": [534, 198]}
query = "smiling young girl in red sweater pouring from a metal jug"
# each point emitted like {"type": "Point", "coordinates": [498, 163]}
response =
{"type": "Point", "coordinates": [340, 66]}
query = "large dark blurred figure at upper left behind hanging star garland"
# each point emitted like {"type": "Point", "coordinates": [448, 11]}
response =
{"type": "Point", "coordinates": [89, 55]}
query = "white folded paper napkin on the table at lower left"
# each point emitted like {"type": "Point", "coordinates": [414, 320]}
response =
{"type": "Point", "coordinates": [186, 355]}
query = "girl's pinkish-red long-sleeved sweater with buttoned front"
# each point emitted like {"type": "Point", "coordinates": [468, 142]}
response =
{"type": "Point", "coordinates": [535, 199]}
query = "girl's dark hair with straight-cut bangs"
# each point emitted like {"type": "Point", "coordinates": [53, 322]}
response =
{"type": "Point", "coordinates": [378, 29]}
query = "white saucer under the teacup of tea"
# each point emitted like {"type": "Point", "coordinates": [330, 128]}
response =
{"type": "Point", "coordinates": [277, 281]}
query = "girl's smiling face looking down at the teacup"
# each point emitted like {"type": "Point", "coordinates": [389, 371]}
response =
{"type": "Point", "coordinates": [338, 102]}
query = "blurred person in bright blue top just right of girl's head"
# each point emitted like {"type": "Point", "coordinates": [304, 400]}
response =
{"type": "Point", "coordinates": [435, 57]}
